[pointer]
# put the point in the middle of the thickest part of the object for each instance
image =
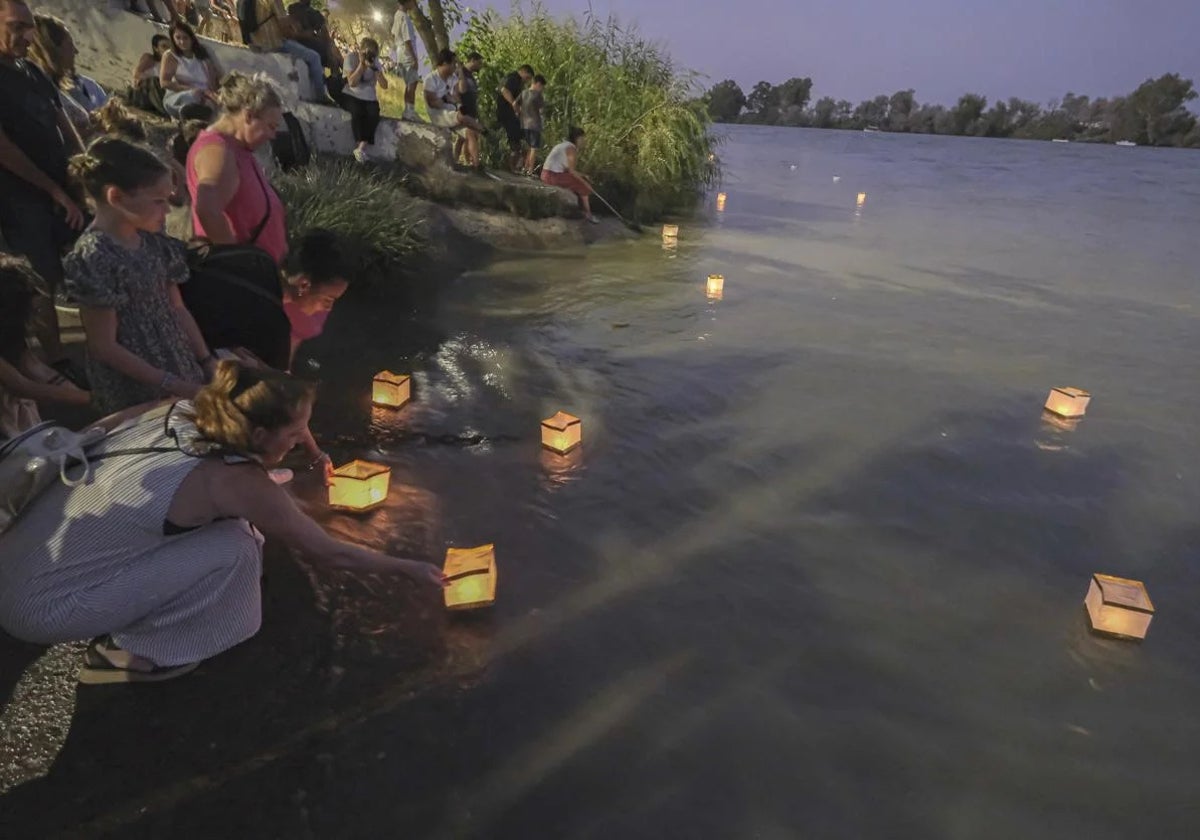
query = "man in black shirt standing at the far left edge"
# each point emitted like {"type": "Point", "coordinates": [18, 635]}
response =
{"type": "Point", "coordinates": [38, 217]}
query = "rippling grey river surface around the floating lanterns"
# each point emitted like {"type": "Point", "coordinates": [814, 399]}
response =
{"type": "Point", "coordinates": [819, 568]}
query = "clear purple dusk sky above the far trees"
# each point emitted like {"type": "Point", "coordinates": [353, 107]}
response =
{"type": "Point", "coordinates": [854, 50]}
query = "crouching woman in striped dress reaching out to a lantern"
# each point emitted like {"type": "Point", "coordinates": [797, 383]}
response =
{"type": "Point", "coordinates": [158, 557]}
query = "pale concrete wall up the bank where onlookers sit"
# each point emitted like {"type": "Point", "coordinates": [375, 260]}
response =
{"type": "Point", "coordinates": [111, 40]}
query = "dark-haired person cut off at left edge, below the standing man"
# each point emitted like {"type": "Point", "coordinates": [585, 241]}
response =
{"type": "Point", "coordinates": [25, 379]}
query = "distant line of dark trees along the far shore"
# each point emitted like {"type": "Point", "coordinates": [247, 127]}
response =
{"type": "Point", "coordinates": [1155, 115]}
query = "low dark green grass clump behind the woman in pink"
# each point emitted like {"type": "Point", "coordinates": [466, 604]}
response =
{"type": "Point", "coordinates": [382, 225]}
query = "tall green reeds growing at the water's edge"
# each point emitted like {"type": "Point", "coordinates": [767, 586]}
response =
{"type": "Point", "coordinates": [649, 148]}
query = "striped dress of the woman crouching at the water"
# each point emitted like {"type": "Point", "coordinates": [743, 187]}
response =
{"type": "Point", "coordinates": [94, 560]}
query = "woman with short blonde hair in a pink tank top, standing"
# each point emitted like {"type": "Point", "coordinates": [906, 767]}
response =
{"type": "Point", "coordinates": [232, 201]}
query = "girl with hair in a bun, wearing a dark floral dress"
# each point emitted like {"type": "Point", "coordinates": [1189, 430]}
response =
{"type": "Point", "coordinates": [124, 274]}
